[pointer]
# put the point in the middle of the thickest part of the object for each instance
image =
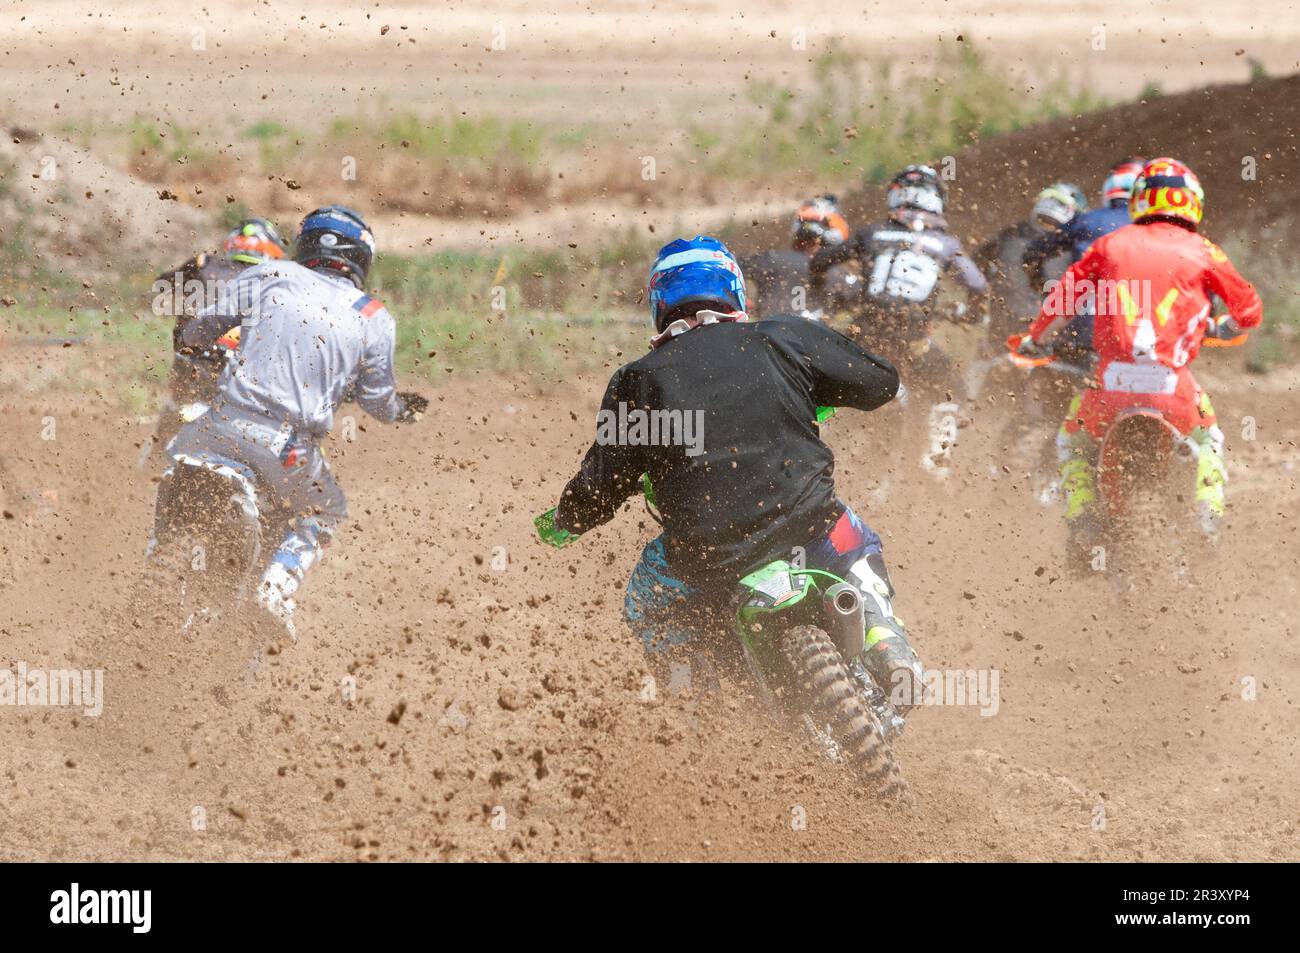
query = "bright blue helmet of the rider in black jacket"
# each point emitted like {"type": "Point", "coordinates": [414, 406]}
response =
{"type": "Point", "coordinates": [696, 271]}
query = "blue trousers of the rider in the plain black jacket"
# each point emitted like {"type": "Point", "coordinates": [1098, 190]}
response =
{"type": "Point", "coordinates": [658, 607]}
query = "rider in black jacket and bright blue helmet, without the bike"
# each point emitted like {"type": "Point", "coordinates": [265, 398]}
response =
{"type": "Point", "coordinates": [759, 484]}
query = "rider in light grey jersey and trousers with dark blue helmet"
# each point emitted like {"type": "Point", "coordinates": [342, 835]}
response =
{"type": "Point", "coordinates": [310, 337]}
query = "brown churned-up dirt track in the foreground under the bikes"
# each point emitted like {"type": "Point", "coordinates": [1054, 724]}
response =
{"type": "Point", "coordinates": [523, 691]}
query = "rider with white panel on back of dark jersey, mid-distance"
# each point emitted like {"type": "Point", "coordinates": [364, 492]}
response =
{"type": "Point", "coordinates": [903, 262]}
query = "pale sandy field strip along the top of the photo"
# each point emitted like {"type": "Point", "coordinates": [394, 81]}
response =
{"type": "Point", "coordinates": [578, 60]}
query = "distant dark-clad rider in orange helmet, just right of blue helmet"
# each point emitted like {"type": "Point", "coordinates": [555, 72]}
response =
{"type": "Point", "coordinates": [779, 279]}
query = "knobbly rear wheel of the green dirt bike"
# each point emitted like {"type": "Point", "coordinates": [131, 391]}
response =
{"type": "Point", "coordinates": [827, 696]}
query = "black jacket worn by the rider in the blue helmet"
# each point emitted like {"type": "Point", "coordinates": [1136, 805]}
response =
{"type": "Point", "coordinates": [756, 479]}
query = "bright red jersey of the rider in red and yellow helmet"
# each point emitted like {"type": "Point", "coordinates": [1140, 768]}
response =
{"type": "Point", "coordinates": [1150, 285]}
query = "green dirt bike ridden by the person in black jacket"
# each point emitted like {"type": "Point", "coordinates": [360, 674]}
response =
{"type": "Point", "coordinates": [803, 635]}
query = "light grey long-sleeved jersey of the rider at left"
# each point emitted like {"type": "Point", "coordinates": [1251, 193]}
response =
{"type": "Point", "coordinates": [306, 341]}
